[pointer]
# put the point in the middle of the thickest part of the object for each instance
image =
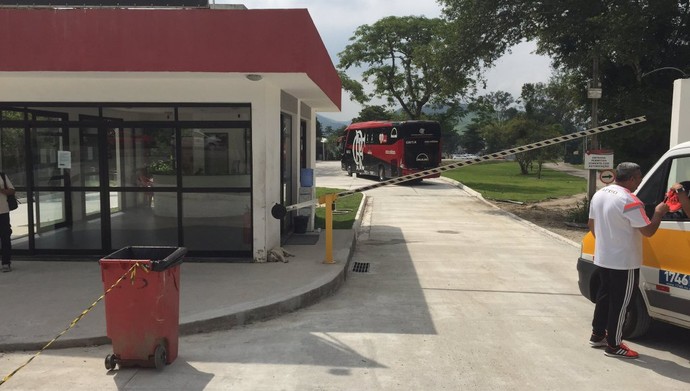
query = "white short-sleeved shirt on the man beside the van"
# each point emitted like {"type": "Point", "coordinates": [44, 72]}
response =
{"type": "Point", "coordinates": [617, 213]}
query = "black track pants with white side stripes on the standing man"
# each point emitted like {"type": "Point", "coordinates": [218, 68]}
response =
{"type": "Point", "coordinates": [616, 290]}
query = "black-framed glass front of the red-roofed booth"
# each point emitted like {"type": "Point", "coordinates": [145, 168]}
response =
{"type": "Point", "coordinates": [92, 178]}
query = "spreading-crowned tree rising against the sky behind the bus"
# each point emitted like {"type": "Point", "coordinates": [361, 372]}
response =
{"type": "Point", "coordinates": [404, 61]}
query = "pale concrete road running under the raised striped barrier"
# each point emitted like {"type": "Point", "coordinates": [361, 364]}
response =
{"type": "Point", "coordinates": [458, 296]}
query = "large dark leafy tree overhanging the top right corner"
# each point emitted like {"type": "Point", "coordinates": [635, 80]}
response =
{"type": "Point", "coordinates": [627, 38]}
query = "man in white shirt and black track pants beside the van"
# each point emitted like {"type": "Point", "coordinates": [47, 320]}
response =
{"type": "Point", "coordinates": [617, 219]}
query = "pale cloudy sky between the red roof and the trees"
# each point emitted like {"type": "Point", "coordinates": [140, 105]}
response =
{"type": "Point", "coordinates": [336, 21]}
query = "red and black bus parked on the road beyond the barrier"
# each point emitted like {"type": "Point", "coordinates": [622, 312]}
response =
{"type": "Point", "coordinates": [391, 149]}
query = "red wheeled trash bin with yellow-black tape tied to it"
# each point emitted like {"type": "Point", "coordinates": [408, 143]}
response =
{"type": "Point", "coordinates": [143, 313]}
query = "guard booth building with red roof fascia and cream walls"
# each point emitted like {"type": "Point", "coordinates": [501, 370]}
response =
{"type": "Point", "coordinates": [120, 128]}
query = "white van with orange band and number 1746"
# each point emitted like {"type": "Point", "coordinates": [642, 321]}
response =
{"type": "Point", "coordinates": [664, 290]}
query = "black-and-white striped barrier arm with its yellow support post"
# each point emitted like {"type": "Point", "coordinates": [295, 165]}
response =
{"type": "Point", "coordinates": [279, 211]}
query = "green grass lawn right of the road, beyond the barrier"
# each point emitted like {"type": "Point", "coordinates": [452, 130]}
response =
{"type": "Point", "coordinates": [503, 181]}
